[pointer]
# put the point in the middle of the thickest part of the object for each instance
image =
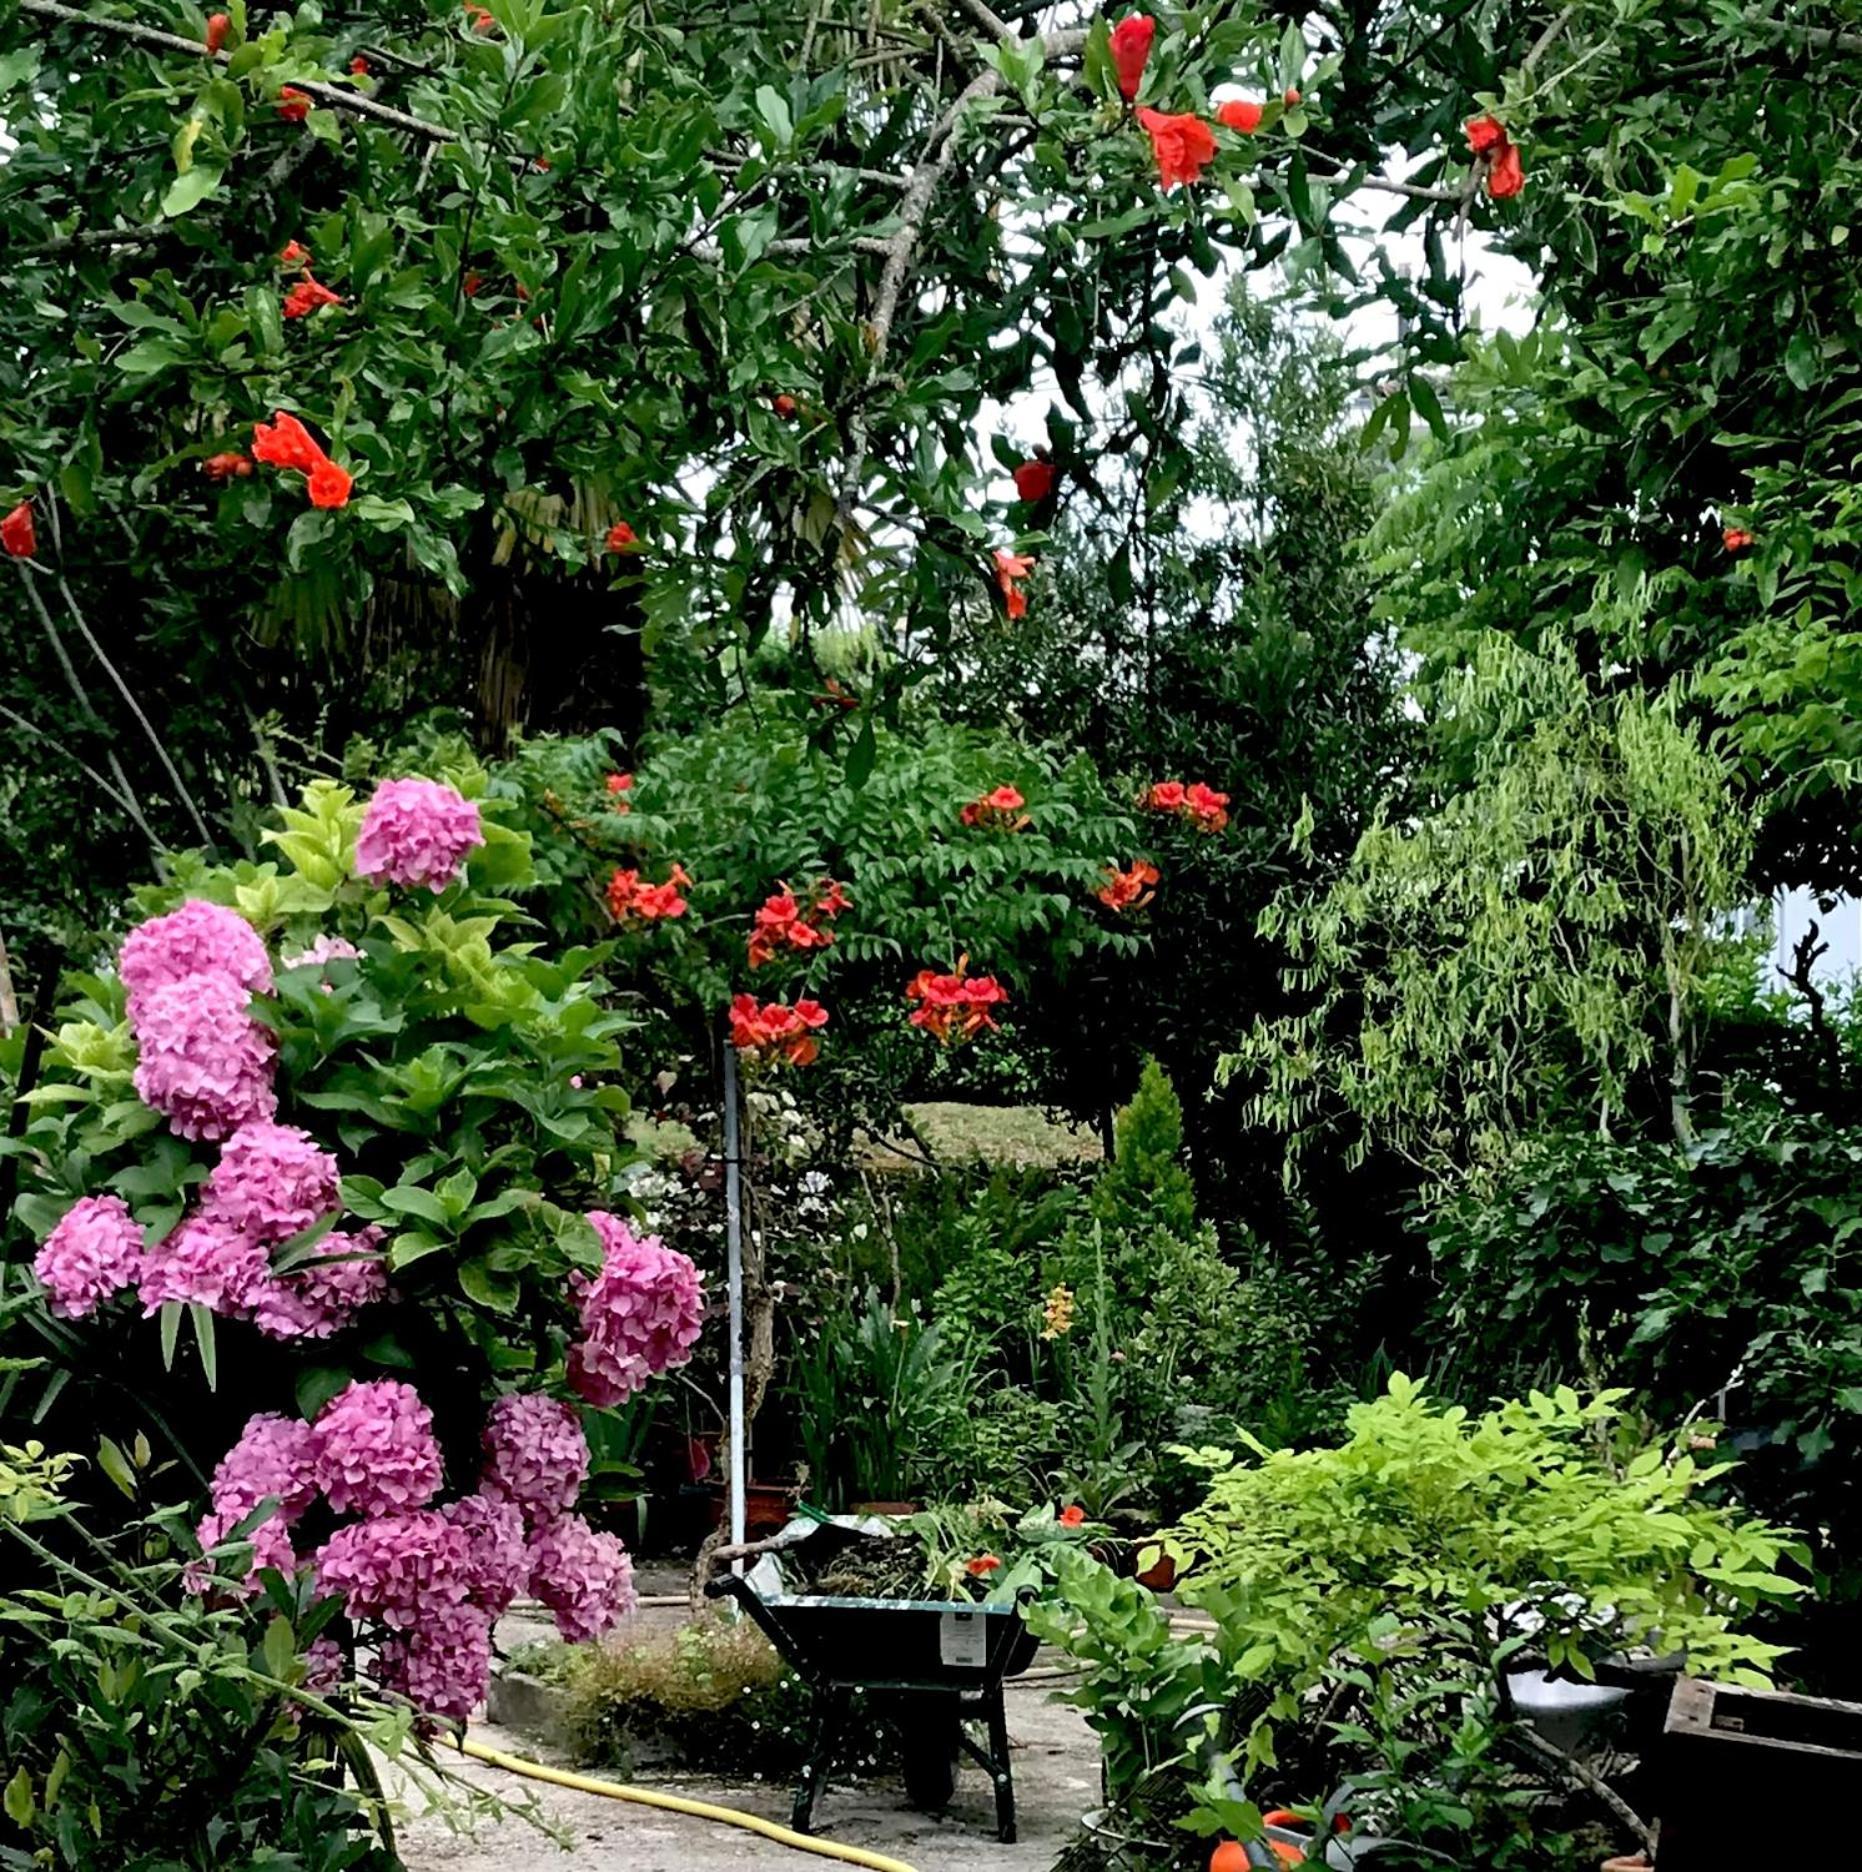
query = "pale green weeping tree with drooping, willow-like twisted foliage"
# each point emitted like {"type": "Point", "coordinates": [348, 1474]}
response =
{"type": "Point", "coordinates": [1528, 950]}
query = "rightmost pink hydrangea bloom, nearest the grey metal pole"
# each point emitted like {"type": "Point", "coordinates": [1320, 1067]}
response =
{"type": "Point", "coordinates": [641, 1315]}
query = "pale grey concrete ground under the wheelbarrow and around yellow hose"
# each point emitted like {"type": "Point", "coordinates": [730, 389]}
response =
{"type": "Point", "coordinates": [1056, 1781]}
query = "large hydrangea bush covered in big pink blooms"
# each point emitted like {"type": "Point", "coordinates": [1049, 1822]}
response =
{"type": "Point", "coordinates": [325, 1115]}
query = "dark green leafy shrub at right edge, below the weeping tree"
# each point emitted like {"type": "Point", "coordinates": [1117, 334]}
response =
{"type": "Point", "coordinates": [1721, 1281]}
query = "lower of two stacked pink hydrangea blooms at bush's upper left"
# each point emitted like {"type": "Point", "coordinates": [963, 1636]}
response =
{"type": "Point", "coordinates": [205, 1062]}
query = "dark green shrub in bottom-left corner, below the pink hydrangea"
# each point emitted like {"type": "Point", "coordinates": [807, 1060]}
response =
{"type": "Point", "coordinates": [149, 1729]}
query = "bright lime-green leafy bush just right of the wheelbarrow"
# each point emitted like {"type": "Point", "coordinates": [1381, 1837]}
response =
{"type": "Point", "coordinates": [1369, 1598]}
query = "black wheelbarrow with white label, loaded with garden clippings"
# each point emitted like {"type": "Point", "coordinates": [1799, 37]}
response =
{"type": "Point", "coordinates": [924, 1665]}
